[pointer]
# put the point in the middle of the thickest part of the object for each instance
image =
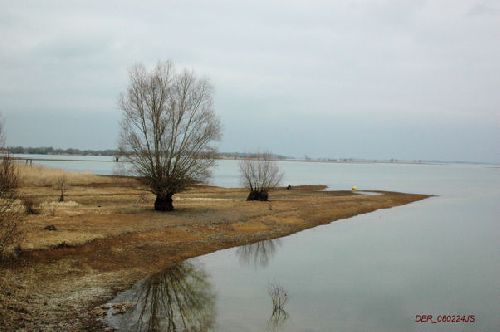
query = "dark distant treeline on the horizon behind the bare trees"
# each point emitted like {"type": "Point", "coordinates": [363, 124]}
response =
{"type": "Point", "coordinates": [49, 150]}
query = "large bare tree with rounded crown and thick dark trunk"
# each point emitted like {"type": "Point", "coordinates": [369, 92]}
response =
{"type": "Point", "coordinates": [168, 126]}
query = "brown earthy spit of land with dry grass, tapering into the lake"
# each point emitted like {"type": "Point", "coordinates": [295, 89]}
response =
{"type": "Point", "coordinates": [78, 254]}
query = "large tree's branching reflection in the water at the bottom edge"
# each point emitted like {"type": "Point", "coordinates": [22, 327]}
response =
{"type": "Point", "coordinates": [179, 298]}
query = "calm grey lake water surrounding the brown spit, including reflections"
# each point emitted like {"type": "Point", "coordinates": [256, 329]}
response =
{"type": "Point", "coordinates": [372, 272]}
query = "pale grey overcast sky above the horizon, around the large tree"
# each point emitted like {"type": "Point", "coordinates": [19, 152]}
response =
{"type": "Point", "coordinates": [368, 79]}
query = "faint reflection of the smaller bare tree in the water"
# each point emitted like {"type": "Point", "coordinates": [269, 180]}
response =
{"type": "Point", "coordinates": [258, 254]}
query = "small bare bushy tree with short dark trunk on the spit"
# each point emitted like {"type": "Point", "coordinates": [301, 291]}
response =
{"type": "Point", "coordinates": [260, 175]}
